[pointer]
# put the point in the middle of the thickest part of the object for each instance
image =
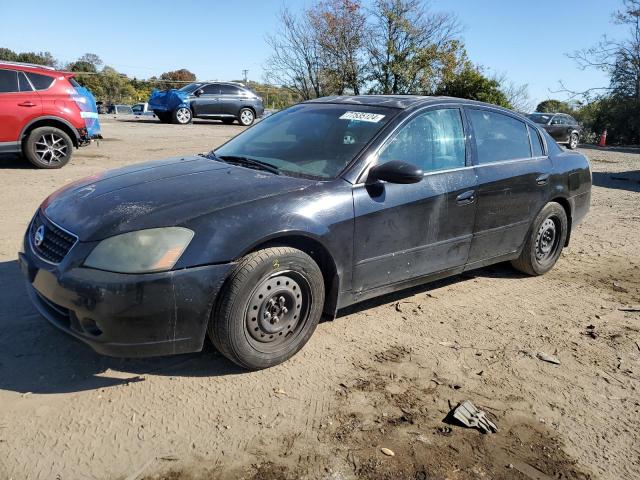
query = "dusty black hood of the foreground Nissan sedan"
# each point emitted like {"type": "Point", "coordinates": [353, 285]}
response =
{"type": "Point", "coordinates": [161, 193]}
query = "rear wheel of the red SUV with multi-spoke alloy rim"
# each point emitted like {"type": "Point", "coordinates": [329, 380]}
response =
{"type": "Point", "coordinates": [48, 147]}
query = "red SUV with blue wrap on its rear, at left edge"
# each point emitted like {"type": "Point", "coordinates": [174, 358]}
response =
{"type": "Point", "coordinates": [44, 114]}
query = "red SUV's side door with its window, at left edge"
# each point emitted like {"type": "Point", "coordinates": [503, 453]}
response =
{"type": "Point", "coordinates": [19, 104]}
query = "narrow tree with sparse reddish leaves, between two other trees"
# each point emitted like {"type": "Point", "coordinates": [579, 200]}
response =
{"type": "Point", "coordinates": [339, 28]}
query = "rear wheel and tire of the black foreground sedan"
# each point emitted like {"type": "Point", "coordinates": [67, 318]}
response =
{"type": "Point", "coordinates": [545, 241]}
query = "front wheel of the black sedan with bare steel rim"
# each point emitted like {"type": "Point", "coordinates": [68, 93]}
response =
{"type": "Point", "coordinates": [250, 328]}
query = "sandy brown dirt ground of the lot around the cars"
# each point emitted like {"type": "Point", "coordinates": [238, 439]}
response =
{"type": "Point", "coordinates": [383, 375]}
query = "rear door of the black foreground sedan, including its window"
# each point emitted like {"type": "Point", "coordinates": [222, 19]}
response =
{"type": "Point", "coordinates": [513, 182]}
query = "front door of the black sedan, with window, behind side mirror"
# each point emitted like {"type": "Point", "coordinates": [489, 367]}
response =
{"type": "Point", "coordinates": [407, 231]}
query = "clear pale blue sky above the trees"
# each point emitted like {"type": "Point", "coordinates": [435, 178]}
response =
{"type": "Point", "coordinates": [526, 40]}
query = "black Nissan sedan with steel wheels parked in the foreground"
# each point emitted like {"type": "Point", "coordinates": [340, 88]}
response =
{"type": "Point", "coordinates": [317, 207]}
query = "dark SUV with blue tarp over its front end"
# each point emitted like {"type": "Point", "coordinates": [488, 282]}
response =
{"type": "Point", "coordinates": [218, 100]}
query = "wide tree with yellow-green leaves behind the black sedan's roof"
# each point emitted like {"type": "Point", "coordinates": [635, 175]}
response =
{"type": "Point", "coordinates": [405, 42]}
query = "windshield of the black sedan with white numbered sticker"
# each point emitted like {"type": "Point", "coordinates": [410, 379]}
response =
{"type": "Point", "coordinates": [312, 140]}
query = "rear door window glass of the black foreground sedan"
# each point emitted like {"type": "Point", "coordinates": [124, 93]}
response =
{"type": "Point", "coordinates": [499, 137]}
